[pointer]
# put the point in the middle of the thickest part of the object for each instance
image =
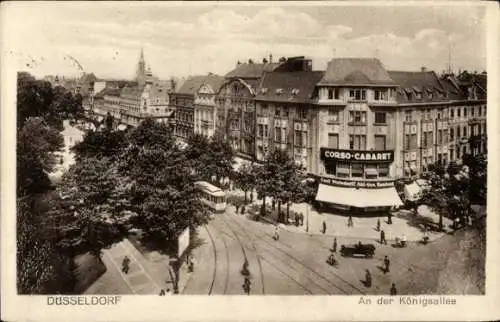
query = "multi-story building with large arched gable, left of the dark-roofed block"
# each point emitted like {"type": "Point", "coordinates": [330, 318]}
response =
{"type": "Point", "coordinates": [235, 105]}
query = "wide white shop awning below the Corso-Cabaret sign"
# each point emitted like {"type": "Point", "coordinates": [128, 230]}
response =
{"type": "Point", "coordinates": [361, 198]}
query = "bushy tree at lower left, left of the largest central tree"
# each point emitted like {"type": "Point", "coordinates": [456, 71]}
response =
{"type": "Point", "coordinates": [95, 197]}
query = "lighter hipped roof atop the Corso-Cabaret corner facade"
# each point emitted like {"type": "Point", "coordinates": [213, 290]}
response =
{"type": "Point", "coordinates": [356, 71]}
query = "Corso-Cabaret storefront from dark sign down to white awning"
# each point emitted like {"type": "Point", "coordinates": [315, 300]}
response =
{"type": "Point", "coordinates": [357, 181]}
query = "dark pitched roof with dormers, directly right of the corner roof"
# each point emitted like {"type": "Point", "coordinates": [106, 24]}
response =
{"type": "Point", "coordinates": [425, 83]}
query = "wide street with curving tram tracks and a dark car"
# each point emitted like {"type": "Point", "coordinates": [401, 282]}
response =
{"type": "Point", "coordinates": [296, 263]}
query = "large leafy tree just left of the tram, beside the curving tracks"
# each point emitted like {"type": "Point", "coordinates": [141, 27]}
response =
{"type": "Point", "coordinates": [163, 198]}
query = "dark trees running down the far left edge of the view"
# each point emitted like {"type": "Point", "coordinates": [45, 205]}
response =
{"type": "Point", "coordinates": [41, 109]}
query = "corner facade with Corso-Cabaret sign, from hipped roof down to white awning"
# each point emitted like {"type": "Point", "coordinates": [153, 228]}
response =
{"type": "Point", "coordinates": [357, 137]}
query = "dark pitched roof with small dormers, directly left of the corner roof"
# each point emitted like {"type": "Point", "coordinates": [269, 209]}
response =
{"type": "Point", "coordinates": [288, 86]}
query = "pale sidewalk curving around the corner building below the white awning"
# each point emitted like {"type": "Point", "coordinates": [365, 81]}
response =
{"type": "Point", "coordinates": [363, 227]}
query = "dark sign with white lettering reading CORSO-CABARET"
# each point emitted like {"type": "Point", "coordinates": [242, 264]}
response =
{"type": "Point", "coordinates": [356, 156]}
